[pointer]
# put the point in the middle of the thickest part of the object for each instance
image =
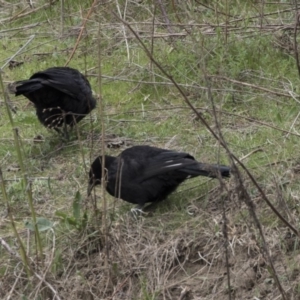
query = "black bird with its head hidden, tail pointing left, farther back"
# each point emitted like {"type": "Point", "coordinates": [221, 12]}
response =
{"type": "Point", "coordinates": [61, 95]}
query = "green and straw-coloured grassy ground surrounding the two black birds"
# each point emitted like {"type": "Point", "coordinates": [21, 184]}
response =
{"type": "Point", "coordinates": [178, 251]}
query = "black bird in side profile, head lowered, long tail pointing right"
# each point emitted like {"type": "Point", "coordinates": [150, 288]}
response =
{"type": "Point", "coordinates": [142, 174]}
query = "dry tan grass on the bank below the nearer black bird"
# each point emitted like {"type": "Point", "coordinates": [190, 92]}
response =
{"type": "Point", "coordinates": [154, 256]}
